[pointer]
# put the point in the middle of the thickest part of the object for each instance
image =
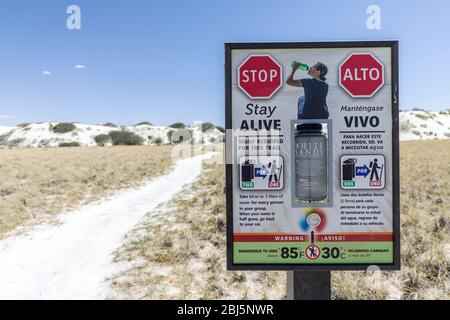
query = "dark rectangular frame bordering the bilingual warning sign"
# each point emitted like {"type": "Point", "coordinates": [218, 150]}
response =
{"type": "Point", "coordinates": [393, 45]}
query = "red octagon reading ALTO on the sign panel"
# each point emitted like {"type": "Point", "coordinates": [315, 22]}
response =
{"type": "Point", "coordinates": [361, 75]}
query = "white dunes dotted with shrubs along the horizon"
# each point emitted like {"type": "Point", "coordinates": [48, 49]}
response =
{"type": "Point", "coordinates": [414, 125]}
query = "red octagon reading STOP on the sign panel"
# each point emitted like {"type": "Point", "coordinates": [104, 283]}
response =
{"type": "Point", "coordinates": [259, 76]}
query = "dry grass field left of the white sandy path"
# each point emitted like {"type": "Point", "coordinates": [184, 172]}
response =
{"type": "Point", "coordinates": [37, 183]}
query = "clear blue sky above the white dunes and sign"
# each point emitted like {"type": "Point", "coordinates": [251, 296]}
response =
{"type": "Point", "coordinates": [162, 61]}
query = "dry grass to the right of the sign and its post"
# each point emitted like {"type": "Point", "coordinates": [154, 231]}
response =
{"type": "Point", "coordinates": [425, 226]}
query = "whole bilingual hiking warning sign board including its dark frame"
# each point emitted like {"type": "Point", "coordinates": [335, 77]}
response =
{"type": "Point", "coordinates": [312, 155]}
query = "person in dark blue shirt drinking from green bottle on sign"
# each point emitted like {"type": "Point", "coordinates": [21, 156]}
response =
{"type": "Point", "coordinates": [313, 105]}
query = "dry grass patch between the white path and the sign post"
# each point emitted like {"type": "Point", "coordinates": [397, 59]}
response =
{"type": "Point", "coordinates": [180, 253]}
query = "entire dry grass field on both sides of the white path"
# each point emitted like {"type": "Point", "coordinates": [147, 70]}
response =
{"type": "Point", "coordinates": [180, 253]}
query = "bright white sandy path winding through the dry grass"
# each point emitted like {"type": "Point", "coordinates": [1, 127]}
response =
{"type": "Point", "coordinates": [73, 259]}
